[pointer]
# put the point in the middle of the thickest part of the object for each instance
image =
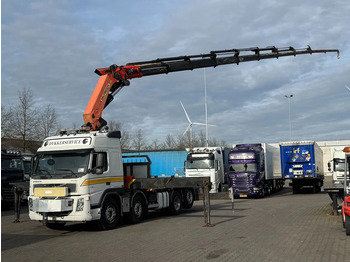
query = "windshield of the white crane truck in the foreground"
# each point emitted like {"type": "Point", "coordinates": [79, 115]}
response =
{"type": "Point", "coordinates": [61, 164]}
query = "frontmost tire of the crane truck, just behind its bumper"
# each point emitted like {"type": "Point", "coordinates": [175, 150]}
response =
{"type": "Point", "coordinates": [110, 215]}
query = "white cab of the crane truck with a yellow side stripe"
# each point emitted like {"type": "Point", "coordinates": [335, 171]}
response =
{"type": "Point", "coordinates": [71, 174]}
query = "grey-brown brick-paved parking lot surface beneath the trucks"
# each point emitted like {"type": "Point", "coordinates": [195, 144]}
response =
{"type": "Point", "coordinates": [281, 227]}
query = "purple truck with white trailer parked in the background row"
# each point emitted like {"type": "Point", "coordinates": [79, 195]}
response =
{"type": "Point", "coordinates": [254, 170]}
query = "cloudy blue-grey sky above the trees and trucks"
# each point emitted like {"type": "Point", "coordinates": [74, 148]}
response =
{"type": "Point", "coordinates": [53, 48]}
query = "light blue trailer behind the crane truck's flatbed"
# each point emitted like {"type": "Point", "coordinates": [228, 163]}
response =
{"type": "Point", "coordinates": [165, 163]}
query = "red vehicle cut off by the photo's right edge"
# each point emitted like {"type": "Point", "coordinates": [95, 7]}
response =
{"type": "Point", "coordinates": [346, 202]}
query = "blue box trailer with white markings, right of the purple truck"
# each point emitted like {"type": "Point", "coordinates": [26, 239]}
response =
{"type": "Point", "coordinates": [302, 162]}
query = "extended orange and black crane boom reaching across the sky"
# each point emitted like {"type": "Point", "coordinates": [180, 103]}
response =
{"type": "Point", "coordinates": [114, 78]}
